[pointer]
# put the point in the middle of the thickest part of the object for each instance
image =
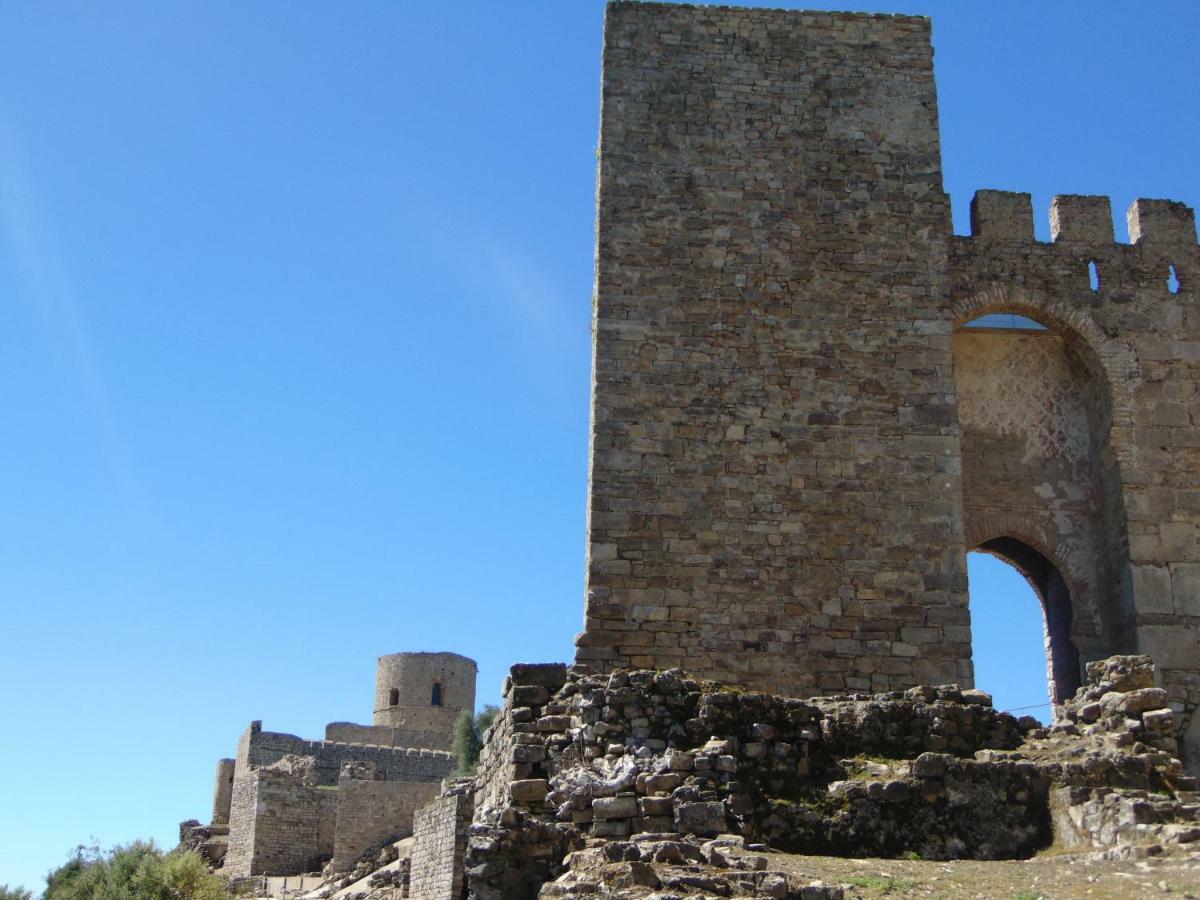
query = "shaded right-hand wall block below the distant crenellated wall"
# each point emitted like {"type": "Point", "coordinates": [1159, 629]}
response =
{"type": "Point", "coordinates": [373, 813]}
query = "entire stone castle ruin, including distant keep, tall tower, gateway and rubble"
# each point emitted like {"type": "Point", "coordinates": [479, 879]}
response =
{"type": "Point", "coordinates": [806, 413]}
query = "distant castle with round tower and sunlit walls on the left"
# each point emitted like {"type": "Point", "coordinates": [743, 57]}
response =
{"type": "Point", "coordinates": [287, 806]}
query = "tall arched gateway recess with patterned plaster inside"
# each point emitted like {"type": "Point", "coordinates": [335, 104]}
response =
{"type": "Point", "coordinates": [1069, 501]}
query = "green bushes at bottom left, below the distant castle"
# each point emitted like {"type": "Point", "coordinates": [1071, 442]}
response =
{"type": "Point", "coordinates": [135, 872]}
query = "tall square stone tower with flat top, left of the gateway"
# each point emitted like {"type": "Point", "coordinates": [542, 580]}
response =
{"type": "Point", "coordinates": [775, 473]}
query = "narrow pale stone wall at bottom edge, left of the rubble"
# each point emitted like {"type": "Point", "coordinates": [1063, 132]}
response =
{"type": "Point", "coordinates": [440, 832]}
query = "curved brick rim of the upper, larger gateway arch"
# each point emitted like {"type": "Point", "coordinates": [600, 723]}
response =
{"type": "Point", "coordinates": [1076, 325]}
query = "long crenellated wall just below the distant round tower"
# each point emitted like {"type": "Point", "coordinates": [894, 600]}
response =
{"type": "Point", "coordinates": [261, 748]}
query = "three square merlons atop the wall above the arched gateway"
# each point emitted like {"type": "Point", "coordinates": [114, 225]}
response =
{"type": "Point", "coordinates": [1082, 220]}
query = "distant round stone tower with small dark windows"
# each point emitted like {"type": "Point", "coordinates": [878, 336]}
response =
{"type": "Point", "coordinates": [422, 694]}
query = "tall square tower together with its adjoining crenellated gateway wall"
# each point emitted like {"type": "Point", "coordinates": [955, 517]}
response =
{"type": "Point", "coordinates": [800, 425]}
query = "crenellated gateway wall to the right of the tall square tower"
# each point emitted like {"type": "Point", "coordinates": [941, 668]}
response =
{"type": "Point", "coordinates": [1136, 347]}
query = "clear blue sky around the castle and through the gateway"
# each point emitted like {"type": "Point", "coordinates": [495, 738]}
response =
{"type": "Point", "coordinates": [295, 352]}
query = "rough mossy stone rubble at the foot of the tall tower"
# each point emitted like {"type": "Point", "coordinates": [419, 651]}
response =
{"type": "Point", "coordinates": [627, 779]}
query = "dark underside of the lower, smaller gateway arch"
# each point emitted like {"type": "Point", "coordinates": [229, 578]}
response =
{"type": "Point", "coordinates": [1054, 585]}
